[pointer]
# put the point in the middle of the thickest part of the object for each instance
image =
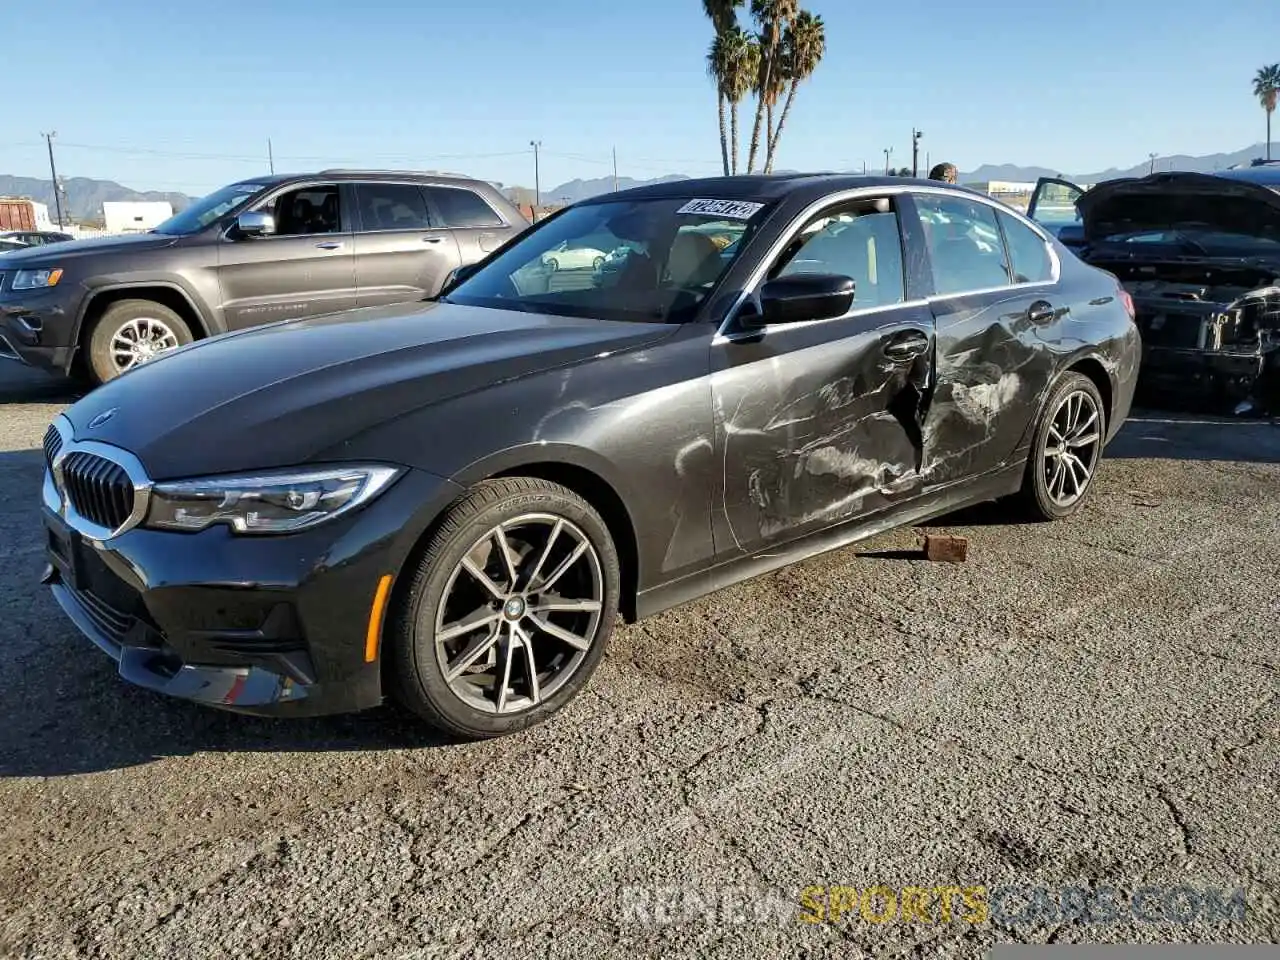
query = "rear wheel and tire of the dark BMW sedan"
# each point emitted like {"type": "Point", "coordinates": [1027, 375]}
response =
{"type": "Point", "coordinates": [1049, 495]}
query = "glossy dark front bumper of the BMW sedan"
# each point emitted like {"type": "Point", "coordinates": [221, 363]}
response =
{"type": "Point", "coordinates": [264, 625]}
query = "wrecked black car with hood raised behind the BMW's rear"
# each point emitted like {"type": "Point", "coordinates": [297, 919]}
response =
{"type": "Point", "coordinates": [1200, 254]}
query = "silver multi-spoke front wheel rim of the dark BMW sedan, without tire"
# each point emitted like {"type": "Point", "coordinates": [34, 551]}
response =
{"type": "Point", "coordinates": [520, 614]}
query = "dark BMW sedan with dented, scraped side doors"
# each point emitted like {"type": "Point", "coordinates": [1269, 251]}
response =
{"type": "Point", "coordinates": [452, 504]}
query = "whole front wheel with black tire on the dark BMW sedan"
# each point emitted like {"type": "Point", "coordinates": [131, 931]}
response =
{"type": "Point", "coordinates": [441, 593]}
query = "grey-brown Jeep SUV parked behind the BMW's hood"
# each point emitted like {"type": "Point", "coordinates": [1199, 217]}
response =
{"type": "Point", "coordinates": [257, 252]}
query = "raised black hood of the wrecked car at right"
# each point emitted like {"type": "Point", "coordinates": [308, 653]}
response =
{"type": "Point", "coordinates": [1168, 200]}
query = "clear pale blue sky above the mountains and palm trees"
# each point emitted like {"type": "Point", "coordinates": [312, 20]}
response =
{"type": "Point", "coordinates": [185, 95]}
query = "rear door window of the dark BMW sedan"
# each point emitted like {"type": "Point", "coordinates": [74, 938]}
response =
{"type": "Point", "coordinates": [964, 244]}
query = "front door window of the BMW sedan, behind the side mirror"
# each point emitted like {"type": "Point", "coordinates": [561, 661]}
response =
{"type": "Point", "coordinates": [861, 241]}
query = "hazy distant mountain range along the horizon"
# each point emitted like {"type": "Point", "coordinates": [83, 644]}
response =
{"type": "Point", "coordinates": [85, 196]}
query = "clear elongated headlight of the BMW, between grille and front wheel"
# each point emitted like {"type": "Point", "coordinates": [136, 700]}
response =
{"type": "Point", "coordinates": [267, 504]}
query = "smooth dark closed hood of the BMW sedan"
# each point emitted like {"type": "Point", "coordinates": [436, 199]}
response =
{"type": "Point", "coordinates": [282, 395]}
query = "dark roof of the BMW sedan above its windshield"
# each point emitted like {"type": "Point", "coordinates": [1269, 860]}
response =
{"type": "Point", "coordinates": [767, 188]}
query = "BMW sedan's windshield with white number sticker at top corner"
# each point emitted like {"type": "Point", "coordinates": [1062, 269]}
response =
{"type": "Point", "coordinates": [639, 260]}
